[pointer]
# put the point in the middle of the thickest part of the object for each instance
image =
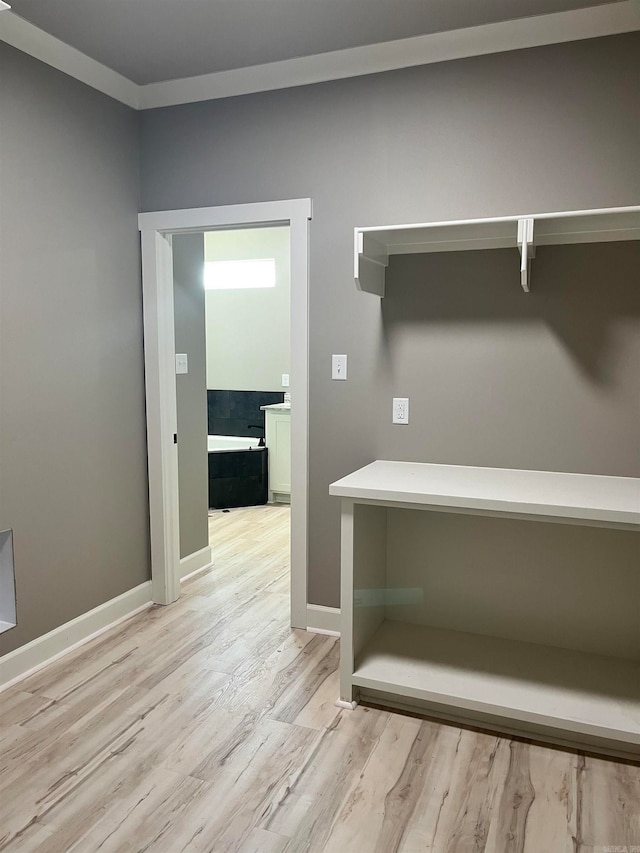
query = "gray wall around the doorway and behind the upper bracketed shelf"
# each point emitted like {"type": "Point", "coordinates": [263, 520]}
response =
{"type": "Point", "coordinates": [555, 128]}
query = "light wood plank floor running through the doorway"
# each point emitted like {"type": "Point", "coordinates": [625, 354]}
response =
{"type": "Point", "coordinates": [209, 725]}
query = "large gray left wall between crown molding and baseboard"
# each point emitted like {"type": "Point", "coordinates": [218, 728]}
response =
{"type": "Point", "coordinates": [72, 431]}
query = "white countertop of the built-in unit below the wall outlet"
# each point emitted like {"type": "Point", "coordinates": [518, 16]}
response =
{"type": "Point", "coordinates": [590, 497]}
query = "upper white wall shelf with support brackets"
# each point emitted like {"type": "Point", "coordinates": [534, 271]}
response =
{"type": "Point", "coordinates": [375, 245]}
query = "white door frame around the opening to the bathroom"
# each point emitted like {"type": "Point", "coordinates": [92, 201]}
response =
{"type": "Point", "coordinates": [160, 380]}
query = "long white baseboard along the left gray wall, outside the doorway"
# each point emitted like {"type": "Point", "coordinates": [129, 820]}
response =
{"type": "Point", "coordinates": [42, 651]}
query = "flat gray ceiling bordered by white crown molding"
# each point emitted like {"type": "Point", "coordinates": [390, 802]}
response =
{"type": "Point", "coordinates": [148, 41]}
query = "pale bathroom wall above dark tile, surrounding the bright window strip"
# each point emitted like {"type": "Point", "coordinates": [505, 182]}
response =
{"type": "Point", "coordinates": [248, 330]}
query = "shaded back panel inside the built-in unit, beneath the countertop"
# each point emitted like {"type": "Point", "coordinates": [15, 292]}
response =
{"type": "Point", "coordinates": [556, 585]}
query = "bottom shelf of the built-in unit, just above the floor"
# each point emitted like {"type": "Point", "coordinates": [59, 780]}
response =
{"type": "Point", "coordinates": [571, 691]}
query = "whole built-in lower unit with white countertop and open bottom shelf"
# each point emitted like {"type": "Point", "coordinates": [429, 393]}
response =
{"type": "Point", "coordinates": [495, 677]}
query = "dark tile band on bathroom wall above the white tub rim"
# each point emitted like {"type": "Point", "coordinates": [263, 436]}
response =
{"type": "Point", "coordinates": [238, 412]}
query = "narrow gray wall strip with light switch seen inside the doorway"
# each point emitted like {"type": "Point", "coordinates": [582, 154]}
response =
{"type": "Point", "coordinates": [191, 390]}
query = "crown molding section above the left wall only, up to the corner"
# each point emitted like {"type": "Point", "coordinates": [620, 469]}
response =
{"type": "Point", "coordinates": [37, 43]}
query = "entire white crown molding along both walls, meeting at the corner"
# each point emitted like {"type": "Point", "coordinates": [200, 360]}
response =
{"type": "Point", "coordinates": [597, 21]}
